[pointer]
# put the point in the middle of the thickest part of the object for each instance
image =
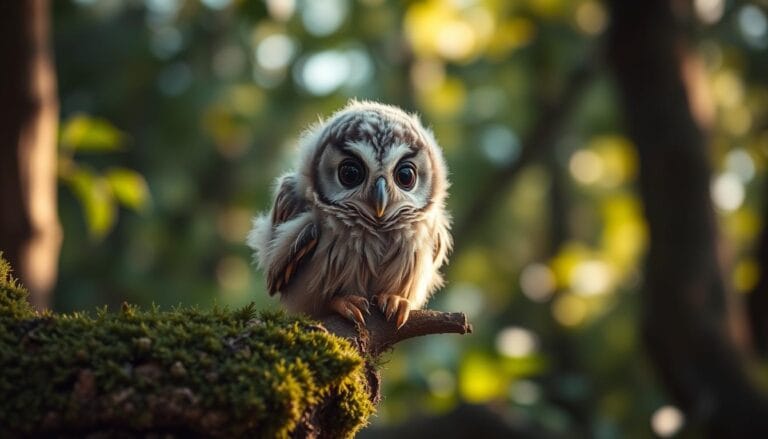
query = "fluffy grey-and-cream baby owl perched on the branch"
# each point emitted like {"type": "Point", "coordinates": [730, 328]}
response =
{"type": "Point", "coordinates": [361, 219]}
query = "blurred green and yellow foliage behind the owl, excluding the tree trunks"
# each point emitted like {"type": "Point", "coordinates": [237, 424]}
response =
{"type": "Point", "coordinates": [199, 104]}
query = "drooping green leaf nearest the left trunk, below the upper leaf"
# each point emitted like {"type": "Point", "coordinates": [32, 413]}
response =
{"type": "Point", "coordinates": [95, 195]}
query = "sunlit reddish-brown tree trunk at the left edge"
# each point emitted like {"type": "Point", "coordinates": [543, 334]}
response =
{"type": "Point", "coordinates": [30, 234]}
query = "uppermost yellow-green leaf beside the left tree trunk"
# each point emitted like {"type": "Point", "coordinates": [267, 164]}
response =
{"type": "Point", "coordinates": [85, 133]}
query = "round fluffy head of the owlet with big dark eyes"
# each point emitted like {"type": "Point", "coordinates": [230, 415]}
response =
{"type": "Point", "coordinates": [376, 162]}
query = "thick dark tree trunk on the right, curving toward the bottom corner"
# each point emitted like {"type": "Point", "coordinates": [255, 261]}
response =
{"type": "Point", "coordinates": [684, 322]}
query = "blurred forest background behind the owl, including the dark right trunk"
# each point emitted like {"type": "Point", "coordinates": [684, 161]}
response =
{"type": "Point", "coordinates": [584, 139]}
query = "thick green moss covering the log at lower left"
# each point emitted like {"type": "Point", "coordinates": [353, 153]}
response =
{"type": "Point", "coordinates": [224, 372]}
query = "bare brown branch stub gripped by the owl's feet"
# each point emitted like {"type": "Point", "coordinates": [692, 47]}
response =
{"type": "Point", "coordinates": [380, 334]}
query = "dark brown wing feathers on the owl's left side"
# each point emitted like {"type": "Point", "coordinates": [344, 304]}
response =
{"type": "Point", "coordinates": [299, 242]}
